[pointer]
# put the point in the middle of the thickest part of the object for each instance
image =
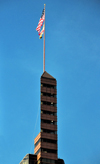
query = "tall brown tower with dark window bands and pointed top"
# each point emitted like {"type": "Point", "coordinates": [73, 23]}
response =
{"type": "Point", "coordinates": [46, 150]}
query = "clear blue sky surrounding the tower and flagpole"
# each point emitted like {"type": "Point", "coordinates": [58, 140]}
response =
{"type": "Point", "coordinates": [72, 57]}
